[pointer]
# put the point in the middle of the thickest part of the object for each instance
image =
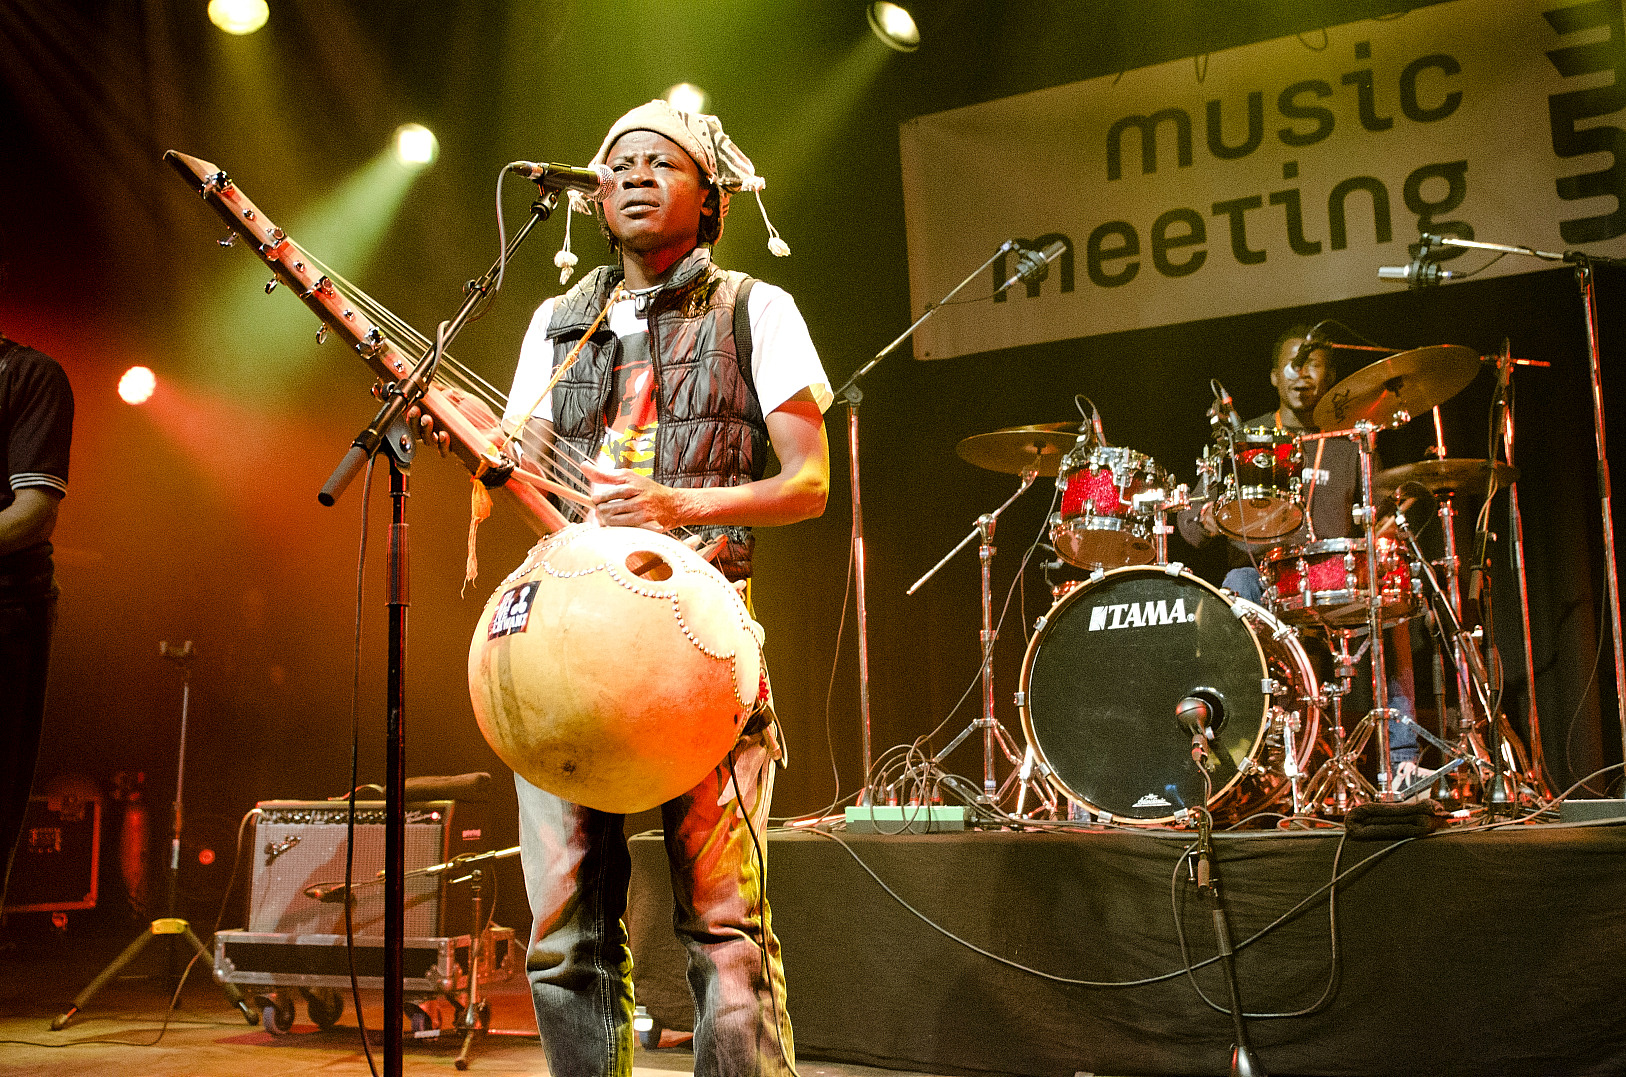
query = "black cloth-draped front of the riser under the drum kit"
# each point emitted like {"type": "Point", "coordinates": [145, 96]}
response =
{"type": "Point", "coordinates": [1493, 953]}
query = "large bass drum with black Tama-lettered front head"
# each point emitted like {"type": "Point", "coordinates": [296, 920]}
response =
{"type": "Point", "coordinates": [1111, 663]}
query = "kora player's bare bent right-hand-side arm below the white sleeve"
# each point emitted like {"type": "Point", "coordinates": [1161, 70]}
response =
{"type": "Point", "coordinates": [796, 494]}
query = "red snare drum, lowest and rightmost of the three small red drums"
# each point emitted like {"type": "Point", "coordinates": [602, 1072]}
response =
{"type": "Point", "coordinates": [1326, 583]}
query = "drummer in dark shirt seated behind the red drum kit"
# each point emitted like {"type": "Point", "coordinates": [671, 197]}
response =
{"type": "Point", "coordinates": [1303, 372]}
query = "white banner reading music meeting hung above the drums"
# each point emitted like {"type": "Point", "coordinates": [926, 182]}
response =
{"type": "Point", "coordinates": [1274, 175]}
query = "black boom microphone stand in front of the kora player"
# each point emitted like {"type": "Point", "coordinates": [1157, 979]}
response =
{"type": "Point", "coordinates": [389, 432]}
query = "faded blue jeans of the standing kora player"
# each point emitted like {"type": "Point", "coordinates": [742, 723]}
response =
{"type": "Point", "coordinates": [580, 964]}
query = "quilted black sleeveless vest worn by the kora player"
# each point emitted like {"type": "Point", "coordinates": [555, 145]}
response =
{"type": "Point", "coordinates": [710, 424]}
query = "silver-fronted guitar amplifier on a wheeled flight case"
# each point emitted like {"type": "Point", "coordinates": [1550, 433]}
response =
{"type": "Point", "coordinates": [300, 845]}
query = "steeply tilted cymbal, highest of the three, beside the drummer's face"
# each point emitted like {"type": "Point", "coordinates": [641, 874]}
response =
{"type": "Point", "coordinates": [1406, 383]}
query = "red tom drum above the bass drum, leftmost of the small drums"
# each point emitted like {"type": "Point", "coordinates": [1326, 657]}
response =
{"type": "Point", "coordinates": [1110, 502]}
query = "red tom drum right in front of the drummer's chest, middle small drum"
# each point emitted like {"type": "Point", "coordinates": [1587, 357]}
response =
{"type": "Point", "coordinates": [1258, 481]}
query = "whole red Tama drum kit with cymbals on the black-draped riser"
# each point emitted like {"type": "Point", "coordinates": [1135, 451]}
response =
{"type": "Point", "coordinates": [1149, 694]}
